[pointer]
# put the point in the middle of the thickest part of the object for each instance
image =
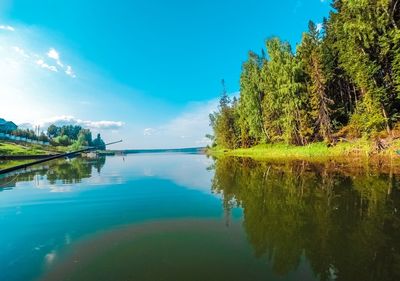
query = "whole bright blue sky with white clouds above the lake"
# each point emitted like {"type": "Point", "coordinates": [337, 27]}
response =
{"type": "Point", "coordinates": [148, 72]}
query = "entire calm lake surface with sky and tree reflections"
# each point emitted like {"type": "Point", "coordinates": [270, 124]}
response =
{"type": "Point", "coordinates": [176, 216]}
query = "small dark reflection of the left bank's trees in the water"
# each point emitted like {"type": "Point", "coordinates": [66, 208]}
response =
{"type": "Point", "coordinates": [68, 172]}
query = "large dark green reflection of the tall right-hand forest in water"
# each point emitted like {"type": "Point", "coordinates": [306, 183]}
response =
{"type": "Point", "coordinates": [346, 224]}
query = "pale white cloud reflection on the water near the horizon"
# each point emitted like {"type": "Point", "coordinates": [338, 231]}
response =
{"type": "Point", "coordinates": [187, 170]}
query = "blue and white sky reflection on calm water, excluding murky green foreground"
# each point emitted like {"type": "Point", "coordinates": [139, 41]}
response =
{"type": "Point", "coordinates": [39, 220]}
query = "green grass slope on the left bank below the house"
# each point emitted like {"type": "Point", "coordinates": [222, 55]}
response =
{"type": "Point", "coordinates": [11, 148]}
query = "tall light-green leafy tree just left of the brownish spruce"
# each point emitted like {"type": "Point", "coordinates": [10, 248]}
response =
{"type": "Point", "coordinates": [284, 95]}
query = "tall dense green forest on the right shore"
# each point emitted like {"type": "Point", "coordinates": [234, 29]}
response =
{"type": "Point", "coordinates": [343, 80]}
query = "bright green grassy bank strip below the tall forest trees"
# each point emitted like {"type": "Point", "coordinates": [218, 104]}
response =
{"type": "Point", "coordinates": [312, 152]}
